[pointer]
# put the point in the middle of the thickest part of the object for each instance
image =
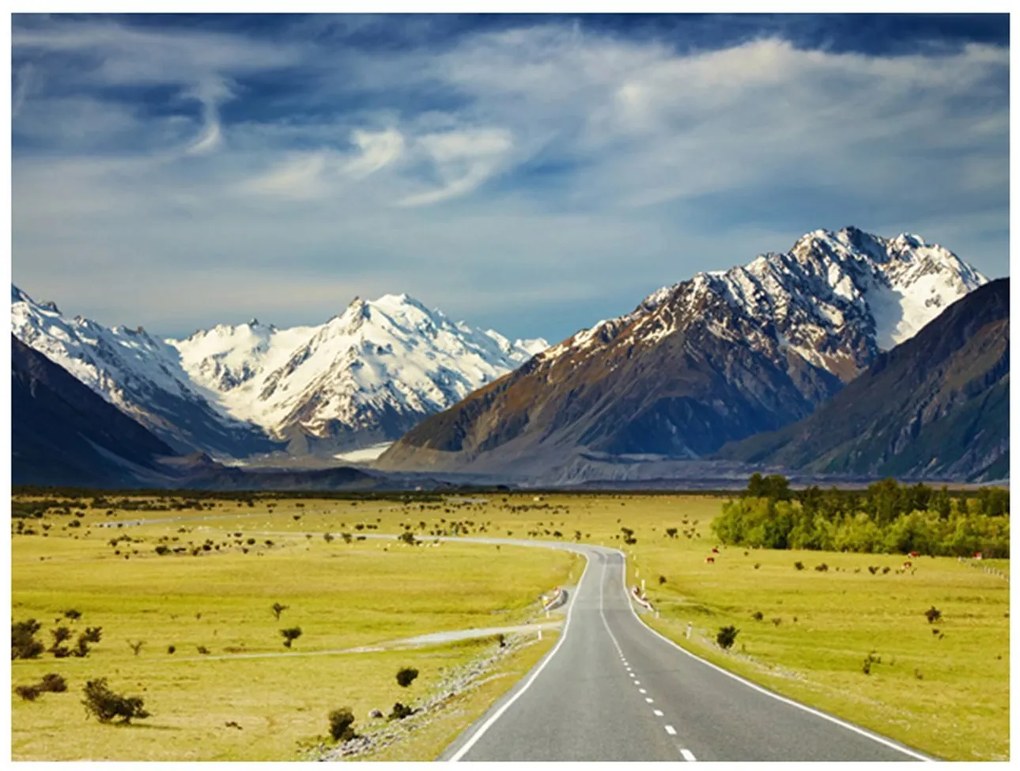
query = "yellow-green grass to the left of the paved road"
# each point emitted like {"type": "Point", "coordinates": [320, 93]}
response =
{"type": "Point", "coordinates": [342, 596]}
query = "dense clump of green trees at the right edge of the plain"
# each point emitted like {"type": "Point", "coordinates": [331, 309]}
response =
{"type": "Point", "coordinates": [887, 519]}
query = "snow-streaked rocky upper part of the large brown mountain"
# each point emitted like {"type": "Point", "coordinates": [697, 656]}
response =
{"type": "Point", "coordinates": [836, 300]}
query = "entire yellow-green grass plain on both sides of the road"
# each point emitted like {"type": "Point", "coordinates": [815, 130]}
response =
{"type": "Point", "coordinates": [945, 693]}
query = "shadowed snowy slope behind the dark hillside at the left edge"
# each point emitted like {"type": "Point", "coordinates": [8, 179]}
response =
{"type": "Point", "coordinates": [140, 375]}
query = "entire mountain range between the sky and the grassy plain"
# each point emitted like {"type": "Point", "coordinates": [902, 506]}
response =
{"type": "Point", "coordinates": [779, 364]}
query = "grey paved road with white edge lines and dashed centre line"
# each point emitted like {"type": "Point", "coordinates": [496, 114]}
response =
{"type": "Point", "coordinates": [613, 690]}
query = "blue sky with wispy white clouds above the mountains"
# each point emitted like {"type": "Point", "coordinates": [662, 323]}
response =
{"type": "Point", "coordinates": [528, 174]}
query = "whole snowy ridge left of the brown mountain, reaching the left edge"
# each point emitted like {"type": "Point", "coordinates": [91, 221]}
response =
{"type": "Point", "coordinates": [236, 391]}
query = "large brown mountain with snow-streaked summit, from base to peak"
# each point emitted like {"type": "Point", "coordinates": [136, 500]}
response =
{"type": "Point", "coordinates": [712, 359]}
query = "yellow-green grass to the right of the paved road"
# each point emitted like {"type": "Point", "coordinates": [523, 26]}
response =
{"type": "Point", "coordinates": [945, 693]}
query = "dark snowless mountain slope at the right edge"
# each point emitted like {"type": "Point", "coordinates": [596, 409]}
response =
{"type": "Point", "coordinates": [935, 407]}
